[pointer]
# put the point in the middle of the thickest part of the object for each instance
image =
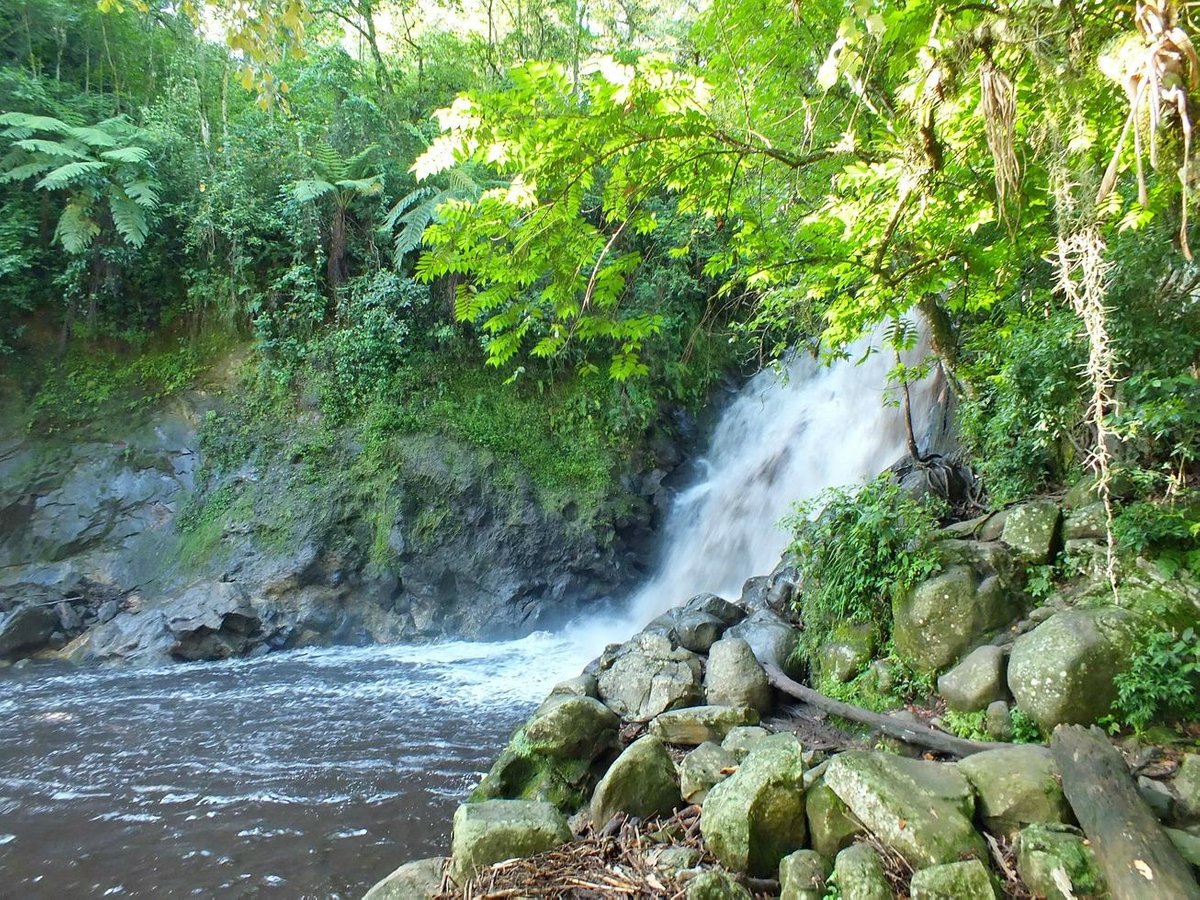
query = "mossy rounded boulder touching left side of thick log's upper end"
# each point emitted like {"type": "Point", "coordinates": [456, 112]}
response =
{"type": "Point", "coordinates": [1017, 787]}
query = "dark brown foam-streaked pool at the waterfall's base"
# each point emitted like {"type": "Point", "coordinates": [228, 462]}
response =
{"type": "Point", "coordinates": [311, 773]}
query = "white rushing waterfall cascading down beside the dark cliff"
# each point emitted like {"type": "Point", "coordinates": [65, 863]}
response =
{"type": "Point", "coordinates": [785, 437]}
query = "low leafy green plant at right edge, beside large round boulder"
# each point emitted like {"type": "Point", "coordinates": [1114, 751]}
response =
{"type": "Point", "coordinates": [1162, 682]}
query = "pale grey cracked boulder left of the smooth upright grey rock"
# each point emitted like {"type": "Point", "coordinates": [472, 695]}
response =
{"type": "Point", "coordinates": [647, 677]}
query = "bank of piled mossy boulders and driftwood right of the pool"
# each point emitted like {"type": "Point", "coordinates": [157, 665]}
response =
{"type": "Point", "coordinates": [680, 765]}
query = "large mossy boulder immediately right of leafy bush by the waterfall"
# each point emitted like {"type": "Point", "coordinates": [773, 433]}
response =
{"type": "Point", "coordinates": [943, 617]}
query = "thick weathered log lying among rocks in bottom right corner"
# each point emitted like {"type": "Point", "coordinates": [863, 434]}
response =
{"type": "Point", "coordinates": [1133, 851]}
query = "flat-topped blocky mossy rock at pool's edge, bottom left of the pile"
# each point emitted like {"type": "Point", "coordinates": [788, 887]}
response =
{"type": "Point", "coordinates": [495, 831]}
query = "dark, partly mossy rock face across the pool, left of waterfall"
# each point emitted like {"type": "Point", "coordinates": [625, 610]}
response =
{"type": "Point", "coordinates": [118, 545]}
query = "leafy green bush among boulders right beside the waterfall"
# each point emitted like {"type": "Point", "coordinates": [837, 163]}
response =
{"type": "Point", "coordinates": [857, 550]}
